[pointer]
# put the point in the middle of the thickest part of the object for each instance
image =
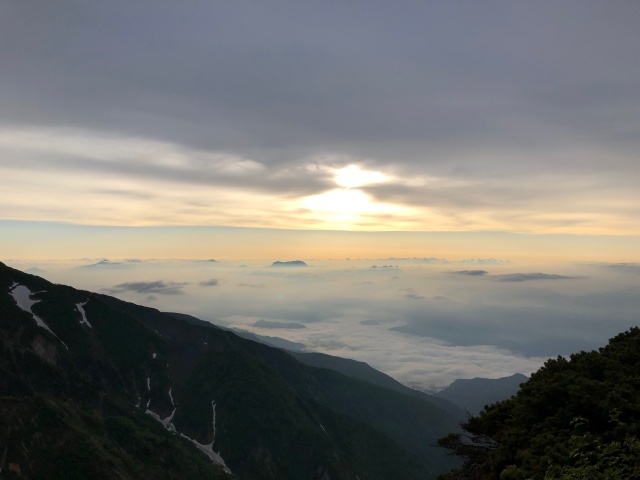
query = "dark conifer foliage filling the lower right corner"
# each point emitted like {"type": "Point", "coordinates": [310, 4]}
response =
{"type": "Point", "coordinates": [576, 418]}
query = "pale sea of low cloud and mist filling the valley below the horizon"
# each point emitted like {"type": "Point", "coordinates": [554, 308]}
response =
{"type": "Point", "coordinates": [421, 326]}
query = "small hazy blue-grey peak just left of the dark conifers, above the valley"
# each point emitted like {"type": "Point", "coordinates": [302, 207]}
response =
{"type": "Point", "coordinates": [474, 394]}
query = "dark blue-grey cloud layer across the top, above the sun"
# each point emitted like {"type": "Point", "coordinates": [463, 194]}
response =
{"type": "Point", "coordinates": [419, 72]}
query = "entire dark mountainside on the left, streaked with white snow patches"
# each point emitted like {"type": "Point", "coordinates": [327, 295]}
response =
{"type": "Point", "coordinates": [114, 390]}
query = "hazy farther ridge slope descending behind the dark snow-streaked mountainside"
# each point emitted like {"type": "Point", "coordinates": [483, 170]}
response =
{"type": "Point", "coordinates": [412, 421]}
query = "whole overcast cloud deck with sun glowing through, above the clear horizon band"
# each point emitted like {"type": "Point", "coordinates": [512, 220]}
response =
{"type": "Point", "coordinates": [466, 115]}
